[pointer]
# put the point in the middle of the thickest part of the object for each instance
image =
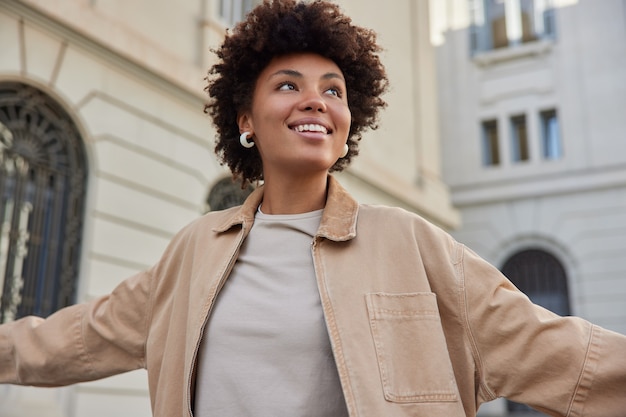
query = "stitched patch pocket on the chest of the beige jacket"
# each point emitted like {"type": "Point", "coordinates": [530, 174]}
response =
{"type": "Point", "coordinates": [411, 349]}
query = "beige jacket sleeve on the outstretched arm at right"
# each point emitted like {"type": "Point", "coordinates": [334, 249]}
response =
{"type": "Point", "coordinates": [562, 366]}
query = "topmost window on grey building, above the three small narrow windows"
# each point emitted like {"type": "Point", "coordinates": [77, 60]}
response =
{"type": "Point", "coordinates": [506, 23]}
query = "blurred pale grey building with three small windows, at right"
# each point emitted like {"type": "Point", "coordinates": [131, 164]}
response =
{"type": "Point", "coordinates": [532, 100]}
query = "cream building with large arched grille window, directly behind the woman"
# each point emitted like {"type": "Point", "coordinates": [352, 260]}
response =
{"type": "Point", "coordinates": [105, 153]}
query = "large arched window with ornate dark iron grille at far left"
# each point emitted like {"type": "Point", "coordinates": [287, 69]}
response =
{"type": "Point", "coordinates": [42, 191]}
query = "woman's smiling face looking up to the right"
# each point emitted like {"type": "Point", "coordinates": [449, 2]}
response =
{"type": "Point", "coordinates": [299, 117]}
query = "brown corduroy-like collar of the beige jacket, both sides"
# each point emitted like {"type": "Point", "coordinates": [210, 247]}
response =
{"type": "Point", "coordinates": [338, 220]}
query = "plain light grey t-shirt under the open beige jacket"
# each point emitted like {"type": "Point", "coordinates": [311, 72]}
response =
{"type": "Point", "coordinates": [266, 351]}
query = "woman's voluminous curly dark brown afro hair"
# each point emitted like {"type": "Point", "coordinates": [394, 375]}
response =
{"type": "Point", "coordinates": [280, 27]}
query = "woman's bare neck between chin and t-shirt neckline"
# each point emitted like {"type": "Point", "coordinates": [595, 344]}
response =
{"type": "Point", "coordinates": [294, 195]}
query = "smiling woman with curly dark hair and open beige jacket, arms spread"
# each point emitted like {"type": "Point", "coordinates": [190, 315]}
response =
{"type": "Point", "coordinates": [302, 302]}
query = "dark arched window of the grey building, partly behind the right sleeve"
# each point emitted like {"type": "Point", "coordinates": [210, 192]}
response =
{"type": "Point", "coordinates": [541, 276]}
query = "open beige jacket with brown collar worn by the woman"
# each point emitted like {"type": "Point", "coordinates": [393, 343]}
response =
{"type": "Point", "coordinates": [419, 325]}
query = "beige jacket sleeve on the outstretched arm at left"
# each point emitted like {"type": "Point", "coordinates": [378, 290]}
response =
{"type": "Point", "coordinates": [81, 342]}
